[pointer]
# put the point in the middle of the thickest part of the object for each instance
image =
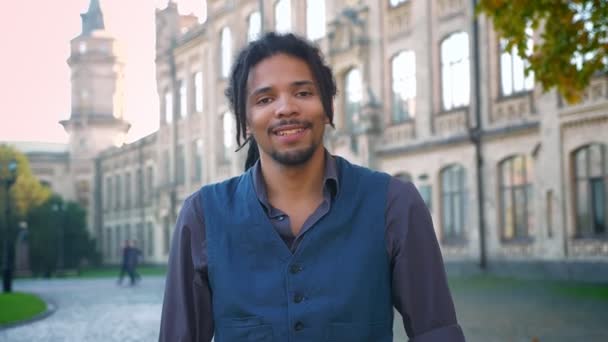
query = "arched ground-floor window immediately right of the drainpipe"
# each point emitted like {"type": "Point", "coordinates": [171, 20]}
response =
{"type": "Point", "coordinates": [516, 202]}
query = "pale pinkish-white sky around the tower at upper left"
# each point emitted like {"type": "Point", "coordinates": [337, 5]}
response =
{"type": "Point", "coordinates": [35, 78]}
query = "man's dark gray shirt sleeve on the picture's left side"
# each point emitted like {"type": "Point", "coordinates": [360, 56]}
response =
{"type": "Point", "coordinates": [187, 311]}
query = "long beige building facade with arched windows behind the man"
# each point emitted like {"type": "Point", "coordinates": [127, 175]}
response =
{"type": "Point", "coordinates": [515, 178]}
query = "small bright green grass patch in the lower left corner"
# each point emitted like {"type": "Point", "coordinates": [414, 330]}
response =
{"type": "Point", "coordinates": [18, 306]}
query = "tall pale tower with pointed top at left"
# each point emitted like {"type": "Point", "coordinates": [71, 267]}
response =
{"type": "Point", "coordinates": [97, 101]}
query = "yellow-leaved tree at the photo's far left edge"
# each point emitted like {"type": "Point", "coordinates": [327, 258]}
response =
{"type": "Point", "coordinates": [25, 193]}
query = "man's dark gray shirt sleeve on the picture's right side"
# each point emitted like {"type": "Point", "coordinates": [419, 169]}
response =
{"type": "Point", "coordinates": [419, 284]}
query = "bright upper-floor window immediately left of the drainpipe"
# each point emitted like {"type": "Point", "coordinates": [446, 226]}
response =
{"type": "Point", "coordinates": [455, 76]}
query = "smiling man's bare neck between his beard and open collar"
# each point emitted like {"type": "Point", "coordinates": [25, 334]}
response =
{"type": "Point", "coordinates": [294, 183]}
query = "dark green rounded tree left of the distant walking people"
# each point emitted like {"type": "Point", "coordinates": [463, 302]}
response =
{"type": "Point", "coordinates": [58, 237]}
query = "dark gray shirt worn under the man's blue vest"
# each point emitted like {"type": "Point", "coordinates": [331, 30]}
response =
{"type": "Point", "coordinates": [419, 286]}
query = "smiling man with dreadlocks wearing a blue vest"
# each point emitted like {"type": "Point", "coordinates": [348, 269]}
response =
{"type": "Point", "coordinates": [303, 246]}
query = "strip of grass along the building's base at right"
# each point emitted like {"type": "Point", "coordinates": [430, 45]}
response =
{"type": "Point", "coordinates": [496, 284]}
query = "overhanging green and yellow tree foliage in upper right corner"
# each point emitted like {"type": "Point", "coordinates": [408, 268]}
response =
{"type": "Point", "coordinates": [574, 39]}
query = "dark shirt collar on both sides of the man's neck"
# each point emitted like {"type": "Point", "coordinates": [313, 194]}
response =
{"type": "Point", "coordinates": [331, 184]}
